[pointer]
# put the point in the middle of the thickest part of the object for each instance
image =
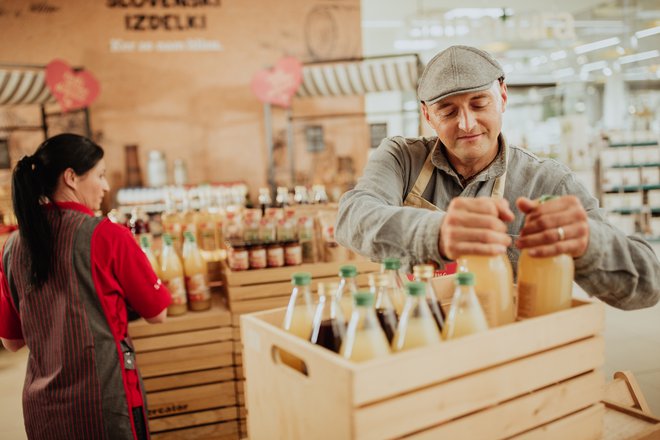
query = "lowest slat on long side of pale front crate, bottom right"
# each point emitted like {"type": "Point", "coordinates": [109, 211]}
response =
{"type": "Point", "coordinates": [585, 425]}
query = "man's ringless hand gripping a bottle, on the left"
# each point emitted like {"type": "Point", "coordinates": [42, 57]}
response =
{"type": "Point", "coordinates": [475, 226]}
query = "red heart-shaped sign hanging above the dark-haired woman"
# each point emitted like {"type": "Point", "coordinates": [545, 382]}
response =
{"type": "Point", "coordinates": [72, 89]}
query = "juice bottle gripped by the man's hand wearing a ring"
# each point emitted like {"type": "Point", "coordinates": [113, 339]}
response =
{"type": "Point", "coordinates": [545, 284]}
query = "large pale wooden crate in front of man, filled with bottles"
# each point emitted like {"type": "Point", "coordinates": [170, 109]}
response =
{"type": "Point", "coordinates": [496, 384]}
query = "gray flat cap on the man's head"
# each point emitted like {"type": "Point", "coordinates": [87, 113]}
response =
{"type": "Point", "coordinates": [457, 69]}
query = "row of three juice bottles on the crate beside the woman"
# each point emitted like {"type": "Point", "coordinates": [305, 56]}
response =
{"type": "Point", "coordinates": [185, 277]}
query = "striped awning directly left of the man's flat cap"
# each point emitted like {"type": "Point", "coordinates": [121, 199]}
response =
{"type": "Point", "coordinates": [342, 78]}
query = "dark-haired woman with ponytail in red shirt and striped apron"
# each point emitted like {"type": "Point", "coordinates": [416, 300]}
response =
{"type": "Point", "coordinates": [66, 282]}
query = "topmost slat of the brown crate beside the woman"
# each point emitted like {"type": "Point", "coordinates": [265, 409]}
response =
{"type": "Point", "coordinates": [217, 316]}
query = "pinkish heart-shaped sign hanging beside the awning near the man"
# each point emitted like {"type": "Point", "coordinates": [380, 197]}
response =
{"type": "Point", "coordinates": [278, 85]}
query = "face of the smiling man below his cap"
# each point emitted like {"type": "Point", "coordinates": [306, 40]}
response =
{"type": "Point", "coordinates": [468, 124]}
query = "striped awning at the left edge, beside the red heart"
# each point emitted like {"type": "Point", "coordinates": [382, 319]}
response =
{"type": "Point", "coordinates": [23, 86]}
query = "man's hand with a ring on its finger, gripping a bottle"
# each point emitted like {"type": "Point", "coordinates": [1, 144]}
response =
{"type": "Point", "coordinates": [555, 227]}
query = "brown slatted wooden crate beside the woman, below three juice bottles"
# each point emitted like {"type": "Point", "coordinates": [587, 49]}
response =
{"type": "Point", "coordinates": [187, 365]}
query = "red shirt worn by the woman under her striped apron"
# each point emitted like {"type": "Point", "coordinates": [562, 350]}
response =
{"type": "Point", "coordinates": [121, 273]}
